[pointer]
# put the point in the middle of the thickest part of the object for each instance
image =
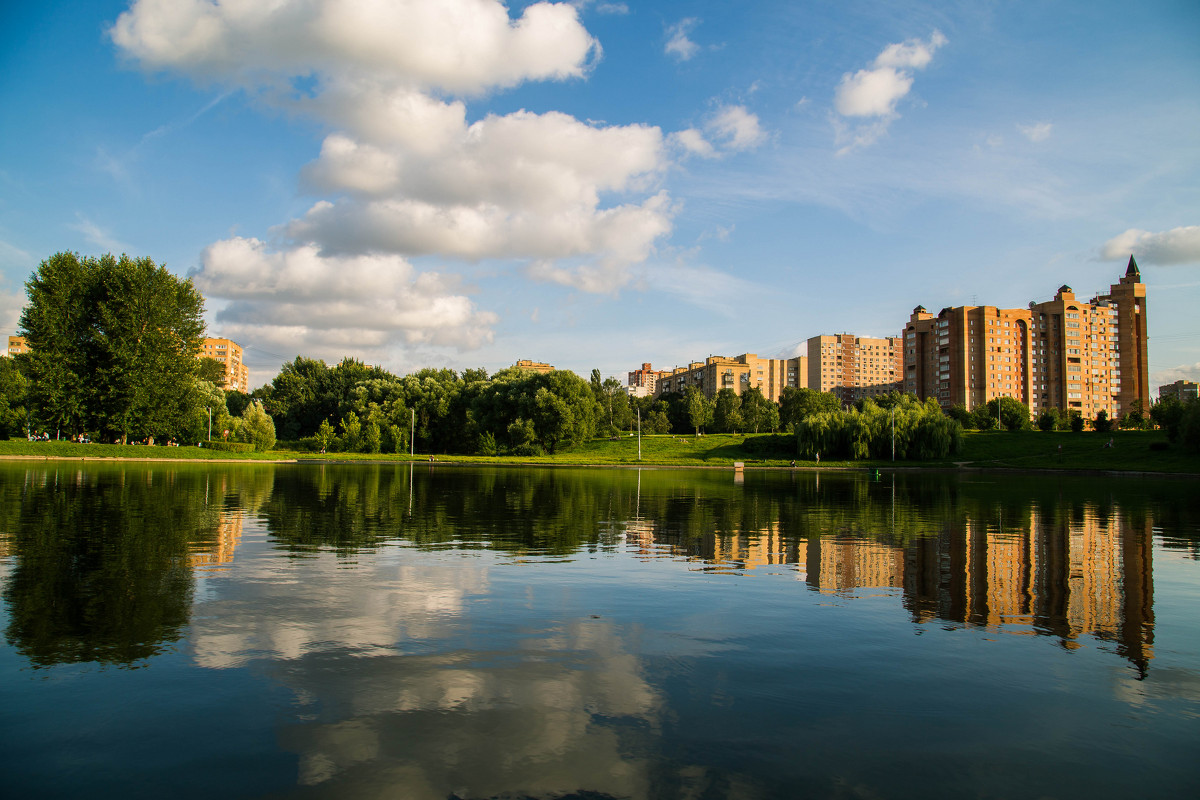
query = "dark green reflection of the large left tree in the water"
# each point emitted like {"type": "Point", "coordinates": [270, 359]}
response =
{"type": "Point", "coordinates": [103, 558]}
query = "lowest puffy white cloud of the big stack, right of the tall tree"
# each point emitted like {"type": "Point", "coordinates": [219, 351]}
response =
{"type": "Point", "coordinates": [301, 297]}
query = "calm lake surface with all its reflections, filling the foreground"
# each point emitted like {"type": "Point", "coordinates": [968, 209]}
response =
{"type": "Point", "coordinates": [458, 633]}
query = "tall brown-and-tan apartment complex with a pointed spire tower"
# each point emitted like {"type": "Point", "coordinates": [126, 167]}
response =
{"type": "Point", "coordinates": [1066, 353]}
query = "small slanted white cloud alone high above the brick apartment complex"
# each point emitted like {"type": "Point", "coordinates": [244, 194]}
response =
{"type": "Point", "coordinates": [872, 95]}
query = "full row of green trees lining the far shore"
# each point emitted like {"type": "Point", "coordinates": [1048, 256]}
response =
{"type": "Point", "coordinates": [113, 356]}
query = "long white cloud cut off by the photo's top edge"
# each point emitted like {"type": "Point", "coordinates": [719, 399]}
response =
{"type": "Point", "coordinates": [455, 46]}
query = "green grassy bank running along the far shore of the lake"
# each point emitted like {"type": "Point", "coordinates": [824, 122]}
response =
{"type": "Point", "coordinates": [1033, 450]}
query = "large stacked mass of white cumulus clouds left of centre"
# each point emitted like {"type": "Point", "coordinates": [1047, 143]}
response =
{"type": "Point", "coordinates": [403, 173]}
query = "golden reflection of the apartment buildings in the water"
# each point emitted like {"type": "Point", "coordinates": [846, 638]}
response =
{"type": "Point", "coordinates": [1081, 573]}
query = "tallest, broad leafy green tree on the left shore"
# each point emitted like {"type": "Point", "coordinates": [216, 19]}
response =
{"type": "Point", "coordinates": [113, 346]}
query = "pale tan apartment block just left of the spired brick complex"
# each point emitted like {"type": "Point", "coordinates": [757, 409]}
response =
{"type": "Point", "coordinates": [854, 368]}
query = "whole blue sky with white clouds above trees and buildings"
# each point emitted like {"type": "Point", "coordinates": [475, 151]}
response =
{"type": "Point", "coordinates": [598, 185]}
